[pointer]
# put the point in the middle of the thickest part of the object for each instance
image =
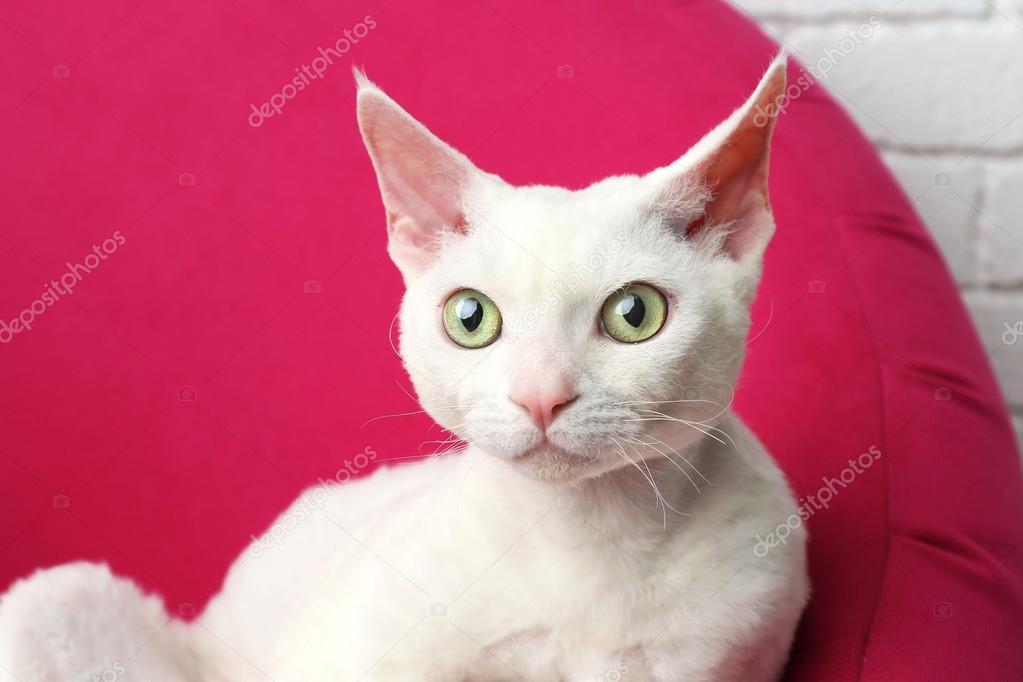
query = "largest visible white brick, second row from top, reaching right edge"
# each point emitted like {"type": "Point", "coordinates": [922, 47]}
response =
{"type": "Point", "coordinates": [948, 85]}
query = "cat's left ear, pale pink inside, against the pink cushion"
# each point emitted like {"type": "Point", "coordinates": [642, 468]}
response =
{"type": "Point", "coordinates": [423, 180]}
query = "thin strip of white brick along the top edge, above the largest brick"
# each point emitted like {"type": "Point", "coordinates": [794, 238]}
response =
{"type": "Point", "coordinates": [802, 10]}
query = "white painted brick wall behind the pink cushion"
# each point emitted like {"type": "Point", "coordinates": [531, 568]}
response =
{"type": "Point", "coordinates": [938, 85]}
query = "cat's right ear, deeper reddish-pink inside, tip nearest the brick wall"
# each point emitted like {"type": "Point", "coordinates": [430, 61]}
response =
{"type": "Point", "coordinates": [729, 169]}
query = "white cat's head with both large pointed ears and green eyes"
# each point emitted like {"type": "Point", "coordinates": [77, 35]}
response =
{"type": "Point", "coordinates": [568, 333]}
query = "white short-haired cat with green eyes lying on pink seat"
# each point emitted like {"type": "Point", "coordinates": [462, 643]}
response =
{"type": "Point", "coordinates": [602, 524]}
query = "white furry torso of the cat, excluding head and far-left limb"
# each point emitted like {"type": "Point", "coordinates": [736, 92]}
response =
{"type": "Point", "coordinates": [468, 571]}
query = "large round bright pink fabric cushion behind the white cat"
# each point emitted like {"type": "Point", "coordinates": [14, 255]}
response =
{"type": "Point", "coordinates": [233, 350]}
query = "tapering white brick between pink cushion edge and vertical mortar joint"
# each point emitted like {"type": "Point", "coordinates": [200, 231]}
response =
{"type": "Point", "coordinates": [945, 198]}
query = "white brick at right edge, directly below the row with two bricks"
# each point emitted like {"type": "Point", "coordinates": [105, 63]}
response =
{"type": "Point", "coordinates": [1000, 322]}
